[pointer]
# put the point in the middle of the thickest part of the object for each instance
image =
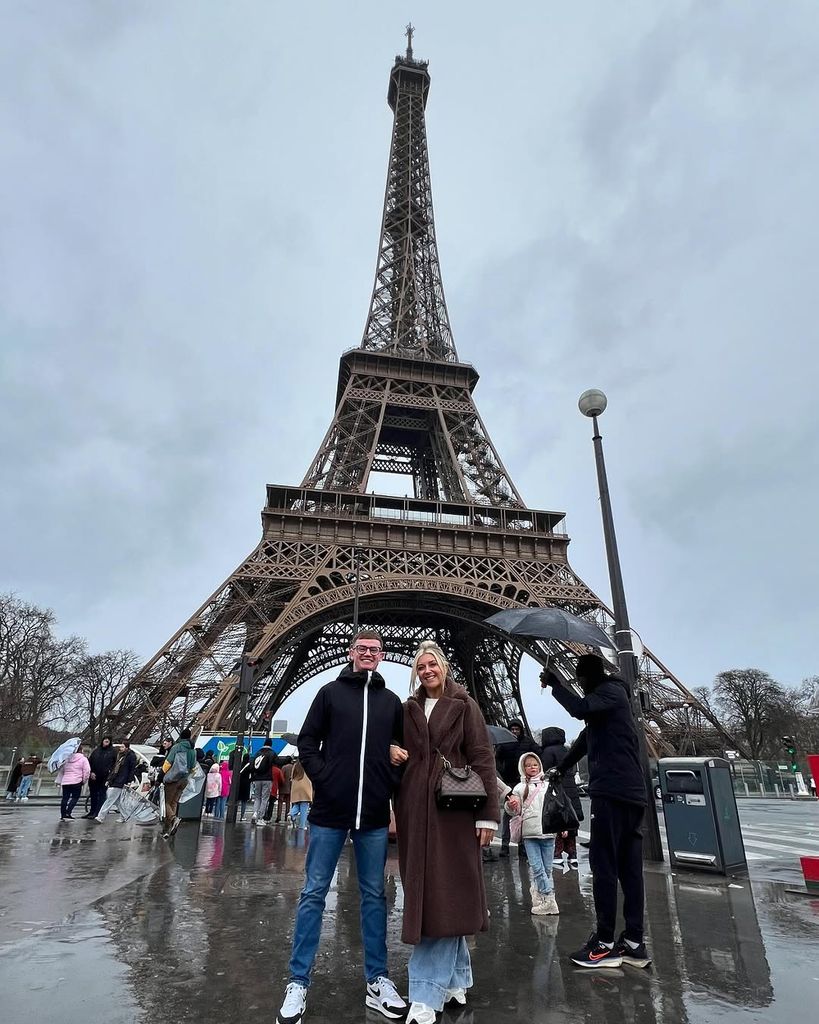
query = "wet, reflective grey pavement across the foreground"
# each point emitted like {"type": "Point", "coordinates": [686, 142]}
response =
{"type": "Point", "coordinates": [110, 923]}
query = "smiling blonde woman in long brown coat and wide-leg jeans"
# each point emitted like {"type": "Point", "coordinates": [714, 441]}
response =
{"type": "Point", "coordinates": [440, 851]}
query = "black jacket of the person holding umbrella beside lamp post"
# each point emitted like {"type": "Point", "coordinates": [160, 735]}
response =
{"type": "Point", "coordinates": [610, 741]}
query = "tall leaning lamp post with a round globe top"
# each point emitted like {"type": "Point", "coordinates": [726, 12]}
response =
{"type": "Point", "coordinates": [593, 405]}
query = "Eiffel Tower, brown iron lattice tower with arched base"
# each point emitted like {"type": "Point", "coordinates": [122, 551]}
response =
{"type": "Point", "coordinates": [436, 565]}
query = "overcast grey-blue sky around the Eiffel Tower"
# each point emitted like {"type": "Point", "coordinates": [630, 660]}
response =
{"type": "Point", "coordinates": [626, 198]}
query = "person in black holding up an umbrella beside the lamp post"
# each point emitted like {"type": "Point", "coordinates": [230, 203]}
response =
{"type": "Point", "coordinates": [618, 791]}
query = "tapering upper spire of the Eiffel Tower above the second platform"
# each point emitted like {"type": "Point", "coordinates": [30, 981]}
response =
{"type": "Point", "coordinates": [408, 311]}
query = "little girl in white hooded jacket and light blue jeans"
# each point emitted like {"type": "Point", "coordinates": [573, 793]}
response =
{"type": "Point", "coordinates": [528, 802]}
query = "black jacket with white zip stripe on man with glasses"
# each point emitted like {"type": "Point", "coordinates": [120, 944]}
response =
{"type": "Point", "coordinates": [344, 747]}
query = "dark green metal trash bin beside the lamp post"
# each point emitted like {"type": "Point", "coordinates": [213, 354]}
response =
{"type": "Point", "coordinates": [702, 821]}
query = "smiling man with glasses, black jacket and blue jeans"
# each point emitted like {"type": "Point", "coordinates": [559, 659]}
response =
{"type": "Point", "coordinates": [344, 747]}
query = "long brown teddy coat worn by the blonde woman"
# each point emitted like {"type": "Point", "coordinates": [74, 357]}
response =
{"type": "Point", "coordinates": [439, 851]}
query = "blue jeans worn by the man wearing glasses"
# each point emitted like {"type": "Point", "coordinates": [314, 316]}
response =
{"type": "Point", "coordinates": [323, 858]}
